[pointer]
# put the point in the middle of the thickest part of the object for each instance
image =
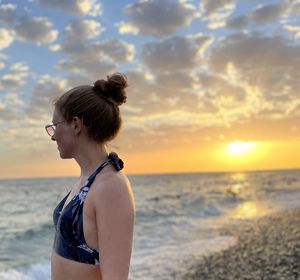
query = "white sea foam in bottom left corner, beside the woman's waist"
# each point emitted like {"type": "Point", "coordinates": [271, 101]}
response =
{"type": "Point", "coordinates": [34, 272]}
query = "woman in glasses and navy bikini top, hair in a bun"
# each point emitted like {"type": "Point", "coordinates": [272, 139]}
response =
{"type": "Point", "coordinates": [94, 222]}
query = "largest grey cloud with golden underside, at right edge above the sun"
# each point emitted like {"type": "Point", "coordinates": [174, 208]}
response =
{"type": "Point", "coordinates": [270, 79]}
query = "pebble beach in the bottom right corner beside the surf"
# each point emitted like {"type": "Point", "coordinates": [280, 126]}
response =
{"type": "Point", "coordinates": [268, 248]}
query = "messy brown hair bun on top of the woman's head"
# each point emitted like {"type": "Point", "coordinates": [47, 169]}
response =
{"type": "Point", "coordinates": [112, 89]}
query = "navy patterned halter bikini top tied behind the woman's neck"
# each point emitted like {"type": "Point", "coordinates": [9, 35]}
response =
{"type": "Point", "coordinates": [69, 241]}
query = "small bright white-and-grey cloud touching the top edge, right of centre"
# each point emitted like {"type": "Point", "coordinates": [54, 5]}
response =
{"type": "Point", "coordinates": [217, 12]}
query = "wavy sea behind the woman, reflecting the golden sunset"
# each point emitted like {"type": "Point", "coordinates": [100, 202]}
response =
{"type": "Point", "coordinates": [178, 218]}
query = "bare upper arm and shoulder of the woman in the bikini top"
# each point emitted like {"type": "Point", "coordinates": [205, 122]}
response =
{"type": "Point", "coordinates": [115, 214]}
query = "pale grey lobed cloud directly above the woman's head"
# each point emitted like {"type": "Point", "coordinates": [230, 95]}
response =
{"type": "Point", "coordinates": [87, 58]}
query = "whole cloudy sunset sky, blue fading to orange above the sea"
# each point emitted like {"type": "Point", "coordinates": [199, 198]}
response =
{"type": "Point", "coordinates": [214, 85]}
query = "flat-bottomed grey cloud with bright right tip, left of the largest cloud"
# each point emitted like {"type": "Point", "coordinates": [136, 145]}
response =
{"type": "Point", "coordinates": [176, 53]}
